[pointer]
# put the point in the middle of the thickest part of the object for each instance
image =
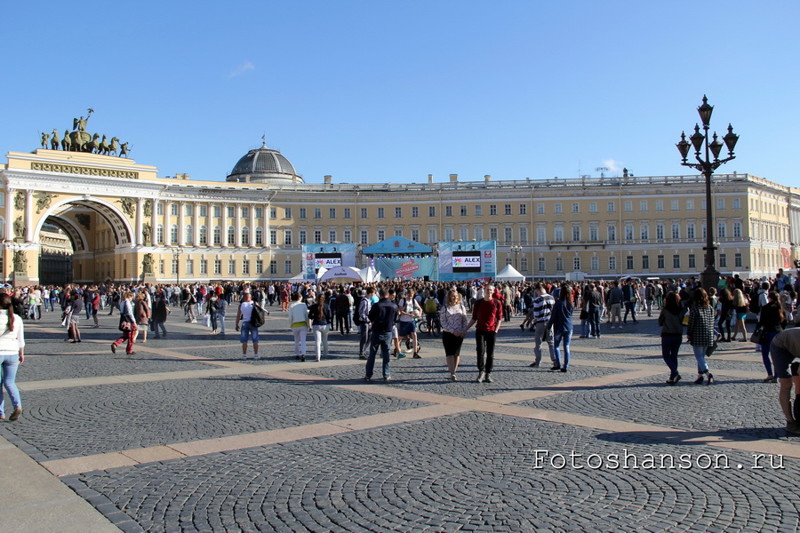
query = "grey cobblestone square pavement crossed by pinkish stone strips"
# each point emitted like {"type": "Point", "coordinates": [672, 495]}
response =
{"type": "Point", "coordinates": [185, 435]}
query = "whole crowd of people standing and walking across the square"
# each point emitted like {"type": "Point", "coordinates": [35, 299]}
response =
{"type": "Point", "coordinates": [386, 317]}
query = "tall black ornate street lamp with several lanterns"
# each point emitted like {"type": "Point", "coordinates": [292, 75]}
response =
{"type": "Point", "coordinates": [700, 142]}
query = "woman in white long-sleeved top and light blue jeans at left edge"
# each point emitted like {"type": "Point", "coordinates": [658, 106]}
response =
{"type": "Point", "coordinates": [12, 354]}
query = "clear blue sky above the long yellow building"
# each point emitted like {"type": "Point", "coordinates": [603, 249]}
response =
{"type": "Point", "coordinates": [394, 91]}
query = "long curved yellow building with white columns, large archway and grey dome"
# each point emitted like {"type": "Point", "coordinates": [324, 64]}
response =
{"type": "Point", "coordinates": [127, 224]}
